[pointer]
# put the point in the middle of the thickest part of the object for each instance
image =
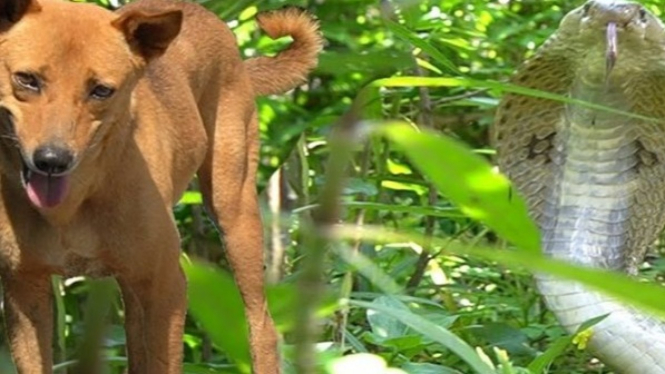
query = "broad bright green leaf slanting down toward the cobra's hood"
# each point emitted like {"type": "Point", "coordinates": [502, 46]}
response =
{"type": "Point", "coordinates": [469, 181]}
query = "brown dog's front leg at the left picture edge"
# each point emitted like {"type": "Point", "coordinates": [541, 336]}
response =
{"type": "Point", "coordinates": [29, 318]}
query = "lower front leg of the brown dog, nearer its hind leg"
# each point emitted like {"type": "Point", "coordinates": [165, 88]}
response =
{"type": "Point", "coordinates": [155, 299]}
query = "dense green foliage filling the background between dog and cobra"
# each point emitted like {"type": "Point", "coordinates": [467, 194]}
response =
{"type": "Point", "coordinates": [437, 279]}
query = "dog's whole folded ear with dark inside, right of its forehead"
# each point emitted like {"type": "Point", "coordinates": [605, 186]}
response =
{"type": "Point", "coordinates": [149, 34]}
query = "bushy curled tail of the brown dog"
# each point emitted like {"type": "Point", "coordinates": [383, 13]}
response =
{"type": "Point", "coordinates": [289, 68]}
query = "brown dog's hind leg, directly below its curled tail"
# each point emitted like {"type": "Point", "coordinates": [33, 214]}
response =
{"type": "Point", "coordinates": [228, 183]}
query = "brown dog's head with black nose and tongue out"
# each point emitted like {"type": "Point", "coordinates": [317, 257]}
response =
{"type": "Point", "coordinates": [67, 72]}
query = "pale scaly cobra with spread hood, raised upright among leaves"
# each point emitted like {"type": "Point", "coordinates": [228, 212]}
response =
{"type": "Point", "coordinates": [594, 181]}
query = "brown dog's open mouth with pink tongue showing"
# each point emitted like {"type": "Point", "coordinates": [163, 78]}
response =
{"type": "Point", "coordinates": [44, 190]}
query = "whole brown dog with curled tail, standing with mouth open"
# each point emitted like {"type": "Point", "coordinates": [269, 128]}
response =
{"type": "Point", "coordinates": [105, 119]}
